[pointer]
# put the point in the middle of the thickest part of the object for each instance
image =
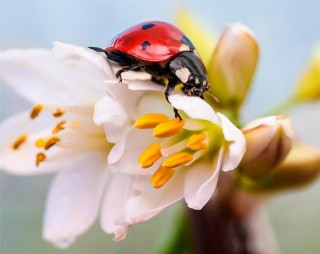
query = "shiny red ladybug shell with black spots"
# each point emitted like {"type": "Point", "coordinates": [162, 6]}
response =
{"type": "Point", "coordinates": [152, 41]}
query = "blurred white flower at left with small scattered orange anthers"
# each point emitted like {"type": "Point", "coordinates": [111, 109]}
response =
{"type": "Point", "coordinates": [59, 134]}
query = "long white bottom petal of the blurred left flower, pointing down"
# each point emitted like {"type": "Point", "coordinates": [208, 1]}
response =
{"type": "Point", "coordinates": [73, 200]}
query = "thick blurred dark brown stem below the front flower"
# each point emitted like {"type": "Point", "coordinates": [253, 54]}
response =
{"type": "Point", "coordinates": [232, 223]}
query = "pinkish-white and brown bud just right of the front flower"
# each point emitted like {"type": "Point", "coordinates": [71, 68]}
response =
{"type": "Point", "coordinates": [269, 140]}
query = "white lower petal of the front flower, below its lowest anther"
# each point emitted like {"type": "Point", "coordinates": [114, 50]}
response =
{"type": "Point", "coordinates": [149, 202]}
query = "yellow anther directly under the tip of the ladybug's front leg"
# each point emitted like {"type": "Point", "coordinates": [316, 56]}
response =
{"type": "Point", "coordinates": [169, 128]}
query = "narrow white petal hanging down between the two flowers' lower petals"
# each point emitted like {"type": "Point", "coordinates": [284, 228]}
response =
{"type": "Point", "coordinates": [113, 211]}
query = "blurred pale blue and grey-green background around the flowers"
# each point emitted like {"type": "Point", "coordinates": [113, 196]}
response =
{"type": "Point", "coordinates": [287, 31]}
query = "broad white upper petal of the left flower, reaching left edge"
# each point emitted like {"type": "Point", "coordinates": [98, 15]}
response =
{"type": "Point", "coordinates": [41, 77]}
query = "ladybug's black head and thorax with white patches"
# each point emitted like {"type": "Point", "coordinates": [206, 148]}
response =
{"type": "Point", "coordinates": [189, 69]}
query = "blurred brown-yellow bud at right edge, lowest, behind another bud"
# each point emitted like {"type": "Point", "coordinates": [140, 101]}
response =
{"type": "Point", "coordinates": [300, 167]}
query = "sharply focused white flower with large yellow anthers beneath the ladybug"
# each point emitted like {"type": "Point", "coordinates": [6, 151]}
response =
{"type": "Point", "coordinates": [164, 160]}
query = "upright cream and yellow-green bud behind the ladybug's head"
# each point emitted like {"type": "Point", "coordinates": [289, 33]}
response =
{"type": "Point", "coordinates": [233, 65]}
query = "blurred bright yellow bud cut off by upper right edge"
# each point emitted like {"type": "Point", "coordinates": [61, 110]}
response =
{"type": "Point", "coordinates": [309, 85]}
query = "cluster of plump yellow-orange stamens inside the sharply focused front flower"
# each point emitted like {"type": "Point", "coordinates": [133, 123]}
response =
{"type": "Point", "coordinates": [177, 147]}
